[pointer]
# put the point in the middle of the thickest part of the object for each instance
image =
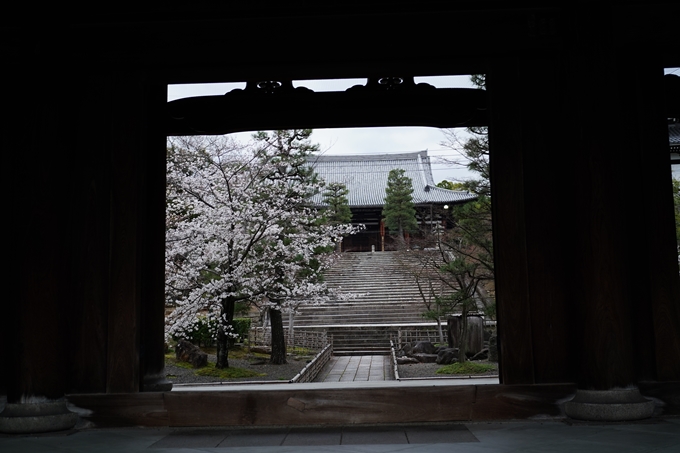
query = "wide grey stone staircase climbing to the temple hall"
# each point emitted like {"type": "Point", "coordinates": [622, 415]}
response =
{"type": "Point", "coordinates": [387, 298]}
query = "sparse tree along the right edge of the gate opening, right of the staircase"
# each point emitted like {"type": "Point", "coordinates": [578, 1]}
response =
{"type": "Point", "coordinates": [462, 262]}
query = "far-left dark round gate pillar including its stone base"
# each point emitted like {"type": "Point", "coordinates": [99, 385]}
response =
{"type": "Point", "coordinates": [34, 319]}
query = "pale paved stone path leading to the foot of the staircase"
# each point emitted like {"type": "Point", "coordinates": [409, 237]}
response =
{"type": "Point", "coordinates": [357, 368]}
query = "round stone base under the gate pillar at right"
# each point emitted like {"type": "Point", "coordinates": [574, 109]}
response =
{"type": "Point", "coordinates": [609, 405]}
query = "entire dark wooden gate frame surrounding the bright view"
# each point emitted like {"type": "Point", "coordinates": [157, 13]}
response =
{"type": "Point", "coordinates": [579, 301]}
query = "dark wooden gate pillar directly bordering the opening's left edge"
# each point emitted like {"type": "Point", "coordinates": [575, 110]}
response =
{"type": "Point", "coordinates": [136, 359]}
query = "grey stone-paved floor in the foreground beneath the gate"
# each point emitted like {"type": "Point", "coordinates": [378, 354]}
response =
{"type": "Point", "coordinates": [656, 435]}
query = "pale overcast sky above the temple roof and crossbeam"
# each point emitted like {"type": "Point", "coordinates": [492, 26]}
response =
{"type": "Point", "coordinates": [347, 141]}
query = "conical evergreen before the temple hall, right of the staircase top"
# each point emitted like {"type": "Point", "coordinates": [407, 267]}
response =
{"type": "Point", "coordinates": [399, 210]}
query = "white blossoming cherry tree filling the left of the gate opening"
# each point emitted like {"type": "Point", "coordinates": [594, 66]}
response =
{"type": "Point", "coordinates": [240, 228]}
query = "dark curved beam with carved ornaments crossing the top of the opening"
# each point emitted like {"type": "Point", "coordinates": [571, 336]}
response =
{"type": "Point", "coordinates": [273, 103]}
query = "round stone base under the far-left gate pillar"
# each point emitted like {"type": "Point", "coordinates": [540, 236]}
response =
{"type": "Point", "coordinates": [46, 416]}
